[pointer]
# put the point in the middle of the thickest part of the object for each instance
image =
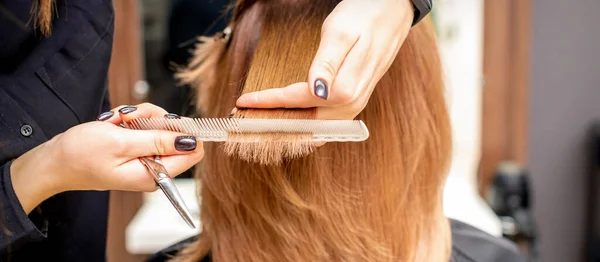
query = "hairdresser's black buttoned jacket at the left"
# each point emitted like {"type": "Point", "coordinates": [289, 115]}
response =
{"type": "Point", "coordinates": [48, 85]}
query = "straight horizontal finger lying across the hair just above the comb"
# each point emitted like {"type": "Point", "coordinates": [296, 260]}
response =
{"type": "Point", "coordinates": [296, 95]}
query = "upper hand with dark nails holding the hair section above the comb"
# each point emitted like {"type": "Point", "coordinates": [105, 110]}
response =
{"type": "Point", "coordinates": [359, 41]}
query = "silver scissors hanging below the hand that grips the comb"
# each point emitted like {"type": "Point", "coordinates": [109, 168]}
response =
{"type": "Point", "coordinates": [164, 181]}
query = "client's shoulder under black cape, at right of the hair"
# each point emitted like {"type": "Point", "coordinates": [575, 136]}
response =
{"type": "Point", "coordinates": [470, 244]}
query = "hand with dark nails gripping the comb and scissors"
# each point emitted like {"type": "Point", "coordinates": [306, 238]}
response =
{"type": "Point", "coordinates": [98, 156]}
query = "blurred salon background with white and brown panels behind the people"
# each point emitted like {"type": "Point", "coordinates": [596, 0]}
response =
{"type": "Point", "coordinates": [522, 78]}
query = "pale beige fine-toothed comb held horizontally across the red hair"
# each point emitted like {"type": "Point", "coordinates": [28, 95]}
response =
{"type": "Point", "coordinates": [218, 129]}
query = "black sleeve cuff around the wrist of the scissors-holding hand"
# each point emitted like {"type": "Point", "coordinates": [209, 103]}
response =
{"type": "Point", "coordinates": [17, 229]}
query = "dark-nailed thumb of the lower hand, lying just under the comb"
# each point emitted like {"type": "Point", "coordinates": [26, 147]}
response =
{"type": "Point", "coordinates": [158, 142]}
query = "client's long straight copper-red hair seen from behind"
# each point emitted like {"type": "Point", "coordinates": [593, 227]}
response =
{"type": "Point", "coordinates": [377, 200]}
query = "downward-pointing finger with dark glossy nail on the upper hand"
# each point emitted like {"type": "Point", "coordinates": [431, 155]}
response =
{"type": "Point", "coordinates": [336, 43]}
